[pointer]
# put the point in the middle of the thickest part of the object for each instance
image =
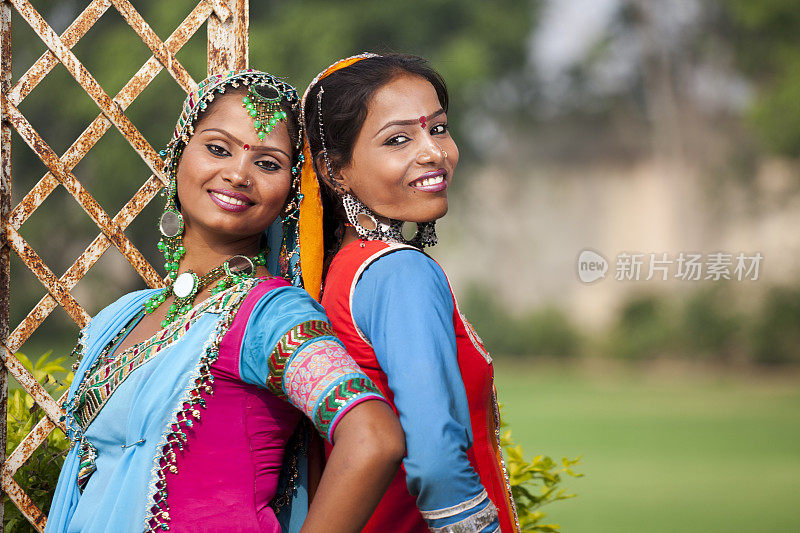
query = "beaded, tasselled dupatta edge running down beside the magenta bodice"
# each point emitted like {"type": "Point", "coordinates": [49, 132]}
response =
{"type": "Point", "coordinates": [187, 409]}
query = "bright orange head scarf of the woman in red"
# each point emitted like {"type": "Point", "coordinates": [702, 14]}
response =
{"type": "Point", "coordinates": [312, 248]}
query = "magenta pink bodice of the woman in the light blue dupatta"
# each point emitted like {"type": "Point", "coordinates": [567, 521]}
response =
{"type": "Point", "coordinates": [228, 470]}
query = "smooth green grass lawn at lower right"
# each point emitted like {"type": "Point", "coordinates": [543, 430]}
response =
{"type": "Point", "coordinates": [705, 454]}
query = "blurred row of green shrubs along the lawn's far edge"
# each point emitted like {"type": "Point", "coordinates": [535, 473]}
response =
{"type": "Point", "coordinates": [713, 323]}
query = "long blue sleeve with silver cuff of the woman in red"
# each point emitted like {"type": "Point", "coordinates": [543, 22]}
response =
{"type": "Point", "coordinates": [404, 306]}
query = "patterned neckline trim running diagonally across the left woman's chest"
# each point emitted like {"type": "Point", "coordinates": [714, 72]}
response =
{"type": "Point", "coordinates": [97, 388]}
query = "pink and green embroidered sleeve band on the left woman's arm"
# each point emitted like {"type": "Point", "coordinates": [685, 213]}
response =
{"type": "Point", "coordinates": [322, 380]}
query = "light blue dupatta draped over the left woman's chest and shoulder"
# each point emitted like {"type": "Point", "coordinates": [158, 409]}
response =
{"type": "Point", "coordinates": [146, 404]}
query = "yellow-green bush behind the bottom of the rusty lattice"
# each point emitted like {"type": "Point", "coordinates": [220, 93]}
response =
{"type": "Point", "coordinates": [39, 475]}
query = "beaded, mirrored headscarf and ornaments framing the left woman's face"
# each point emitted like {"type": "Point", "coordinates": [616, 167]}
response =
{"type": "Point", "coordinates": [262, 103]}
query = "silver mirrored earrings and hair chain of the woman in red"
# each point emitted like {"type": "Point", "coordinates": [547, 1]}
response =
{"type": "Point", "coordinates": [365, 222]}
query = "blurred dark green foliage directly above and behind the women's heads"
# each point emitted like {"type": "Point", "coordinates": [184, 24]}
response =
{"type": "Point", "coordinates": [476, 46]}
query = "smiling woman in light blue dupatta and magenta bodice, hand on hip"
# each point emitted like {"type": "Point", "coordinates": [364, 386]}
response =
{"type": "Point", "coordinates": [186, 399]}
